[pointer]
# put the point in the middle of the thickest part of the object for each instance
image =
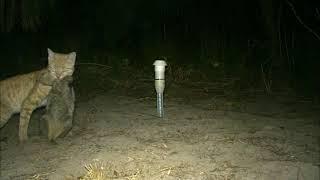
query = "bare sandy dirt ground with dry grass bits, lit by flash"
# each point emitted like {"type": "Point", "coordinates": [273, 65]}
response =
{"type": "Point", "coordinates": [118, 136]}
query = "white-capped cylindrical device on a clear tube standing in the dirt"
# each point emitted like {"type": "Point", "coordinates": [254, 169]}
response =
{"type": "Point", "coordinates": [159, 69]}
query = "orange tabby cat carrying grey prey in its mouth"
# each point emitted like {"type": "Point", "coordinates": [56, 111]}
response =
{"type": "Point", "coordinates": [26, 92]}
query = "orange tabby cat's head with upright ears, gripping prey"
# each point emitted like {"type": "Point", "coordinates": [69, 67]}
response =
{"type": "Point", "coordinates": [61, 65]}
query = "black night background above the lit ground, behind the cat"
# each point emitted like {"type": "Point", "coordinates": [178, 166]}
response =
{"type": "Point", "coordinates": [222, 38]}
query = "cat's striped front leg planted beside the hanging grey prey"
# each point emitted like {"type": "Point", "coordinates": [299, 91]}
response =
{"type": "Point", "coordinates": [37, 95]}
